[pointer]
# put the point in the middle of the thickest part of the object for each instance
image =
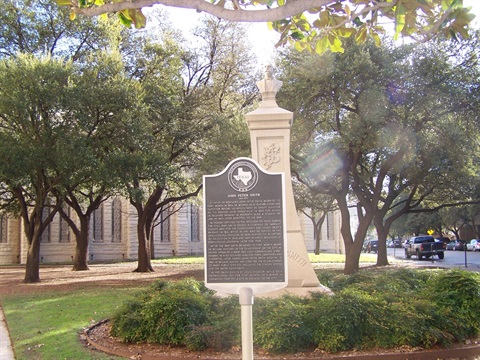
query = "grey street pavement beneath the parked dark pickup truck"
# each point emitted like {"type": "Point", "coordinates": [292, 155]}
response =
{"type": "Point", "coordinates": [453, 259]}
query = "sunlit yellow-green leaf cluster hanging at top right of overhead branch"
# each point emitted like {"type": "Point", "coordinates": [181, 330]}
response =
{"type": "Point", "coordinates": [338, 20]}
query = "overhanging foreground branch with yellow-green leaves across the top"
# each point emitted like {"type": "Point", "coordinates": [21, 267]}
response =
{"type": "Point", "coordinates": [310, 24]}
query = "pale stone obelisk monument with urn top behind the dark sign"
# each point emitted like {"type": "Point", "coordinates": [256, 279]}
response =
{"type": "Point", "coordinates": [270, 140]}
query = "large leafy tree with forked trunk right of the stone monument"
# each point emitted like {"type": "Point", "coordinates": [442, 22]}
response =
{"type": "Point", "coordinates": [385, 135]}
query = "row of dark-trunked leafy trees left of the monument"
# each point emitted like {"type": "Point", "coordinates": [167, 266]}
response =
{"type": "Point", "coordinates": [135, 113]}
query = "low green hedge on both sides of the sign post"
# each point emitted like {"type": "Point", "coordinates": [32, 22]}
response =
{"type": "Point", "coordinates": [371, 309]}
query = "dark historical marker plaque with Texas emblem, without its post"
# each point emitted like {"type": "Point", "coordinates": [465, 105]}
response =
{"type": "Point", "coordinates": [245, 229]}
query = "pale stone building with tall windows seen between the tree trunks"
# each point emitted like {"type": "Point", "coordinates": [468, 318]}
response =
{"type": "Point", "coordinates": [113, 235]}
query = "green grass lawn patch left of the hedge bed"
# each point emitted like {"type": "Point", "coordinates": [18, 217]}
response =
{"type": "Point", "coordinates": [46, 325]}
